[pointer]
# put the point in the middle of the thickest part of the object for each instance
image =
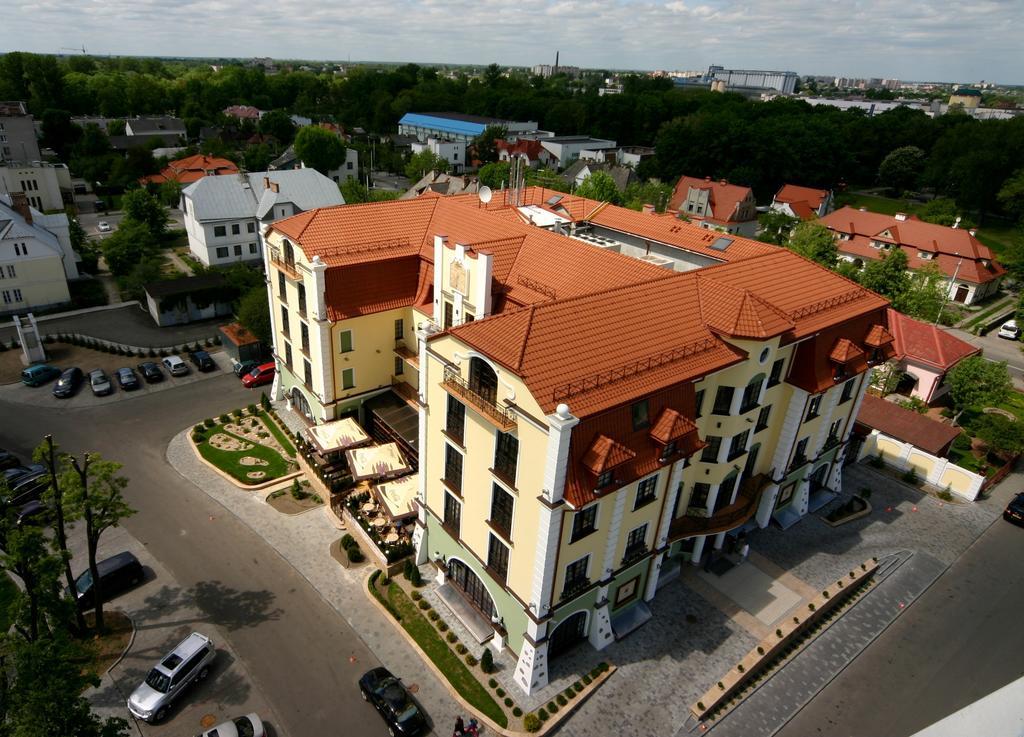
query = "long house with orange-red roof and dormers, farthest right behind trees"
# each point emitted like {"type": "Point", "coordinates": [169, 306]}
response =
{"type": "Point", "coordinates": [865, 237]}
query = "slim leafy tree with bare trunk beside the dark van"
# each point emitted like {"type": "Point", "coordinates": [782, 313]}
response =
{"type": "Point", "coordinates": [96, 492]}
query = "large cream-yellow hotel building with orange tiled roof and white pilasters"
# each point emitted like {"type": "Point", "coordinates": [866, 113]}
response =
{"type": "Point", "coordinates": [584, 421]}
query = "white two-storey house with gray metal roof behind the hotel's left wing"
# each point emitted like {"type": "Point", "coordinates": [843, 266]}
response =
{"type": "Point", "coordinates": [226, 216]}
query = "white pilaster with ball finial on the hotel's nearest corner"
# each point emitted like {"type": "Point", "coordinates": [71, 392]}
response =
{"type": "Point", "coordinates": [560, 431]}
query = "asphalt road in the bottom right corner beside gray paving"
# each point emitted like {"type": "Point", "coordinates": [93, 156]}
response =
{"type": "Point", "coordinates": [961, 641]}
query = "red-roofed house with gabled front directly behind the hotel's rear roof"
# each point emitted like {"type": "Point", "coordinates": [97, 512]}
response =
{"type": "Point", "coordinates": [716, 205]}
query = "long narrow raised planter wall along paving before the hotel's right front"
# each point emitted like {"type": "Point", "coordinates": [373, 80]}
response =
{"type": "Point", "coordinates": [787, 634]}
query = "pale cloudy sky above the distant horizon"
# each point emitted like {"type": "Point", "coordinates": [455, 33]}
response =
{"type": "Point", "coordinates": [908, 39]}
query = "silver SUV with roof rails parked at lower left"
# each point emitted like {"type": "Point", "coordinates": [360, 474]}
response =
{"type": "Point", "coordinates": [188, 663]}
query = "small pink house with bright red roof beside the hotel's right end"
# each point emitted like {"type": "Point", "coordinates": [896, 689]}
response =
{"type": "Point", "coordinates": [926, 354]}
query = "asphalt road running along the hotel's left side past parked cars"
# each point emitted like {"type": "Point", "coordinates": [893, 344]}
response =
{"type": "Point", "coordinates": [297, 648]}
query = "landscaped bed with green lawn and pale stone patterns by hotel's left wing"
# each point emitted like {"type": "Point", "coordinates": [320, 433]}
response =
{"type": "Point", "coordinates": [248, 446]}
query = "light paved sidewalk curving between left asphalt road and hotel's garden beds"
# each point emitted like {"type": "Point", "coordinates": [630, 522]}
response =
{"type": "Point", "coordinates": [305, 542]}
